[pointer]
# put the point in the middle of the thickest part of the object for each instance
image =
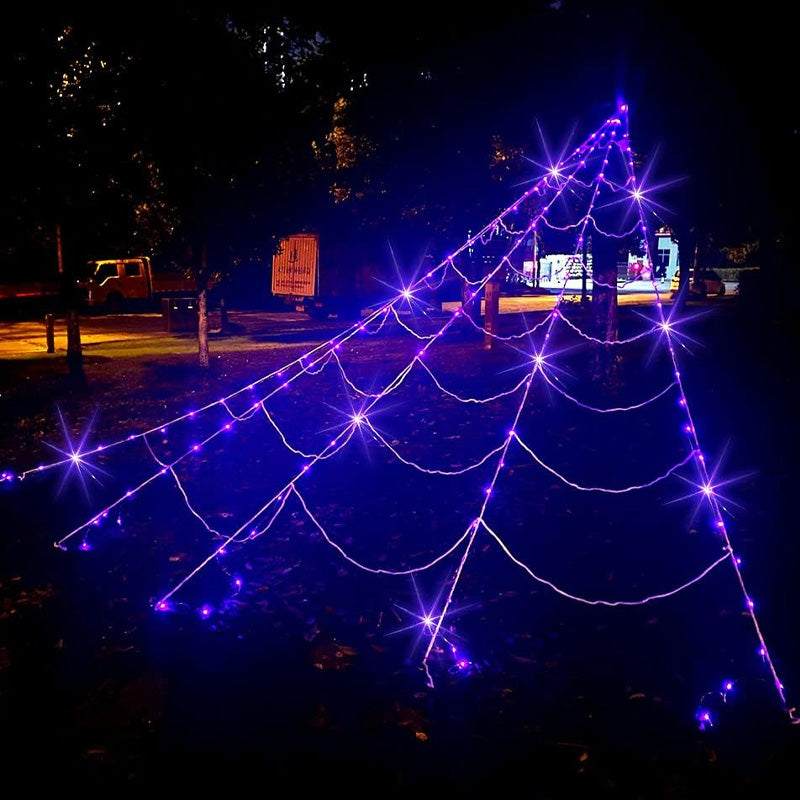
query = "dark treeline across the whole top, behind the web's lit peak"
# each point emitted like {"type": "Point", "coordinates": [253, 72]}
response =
{"type": "Point", "coordinates": [177, 130]}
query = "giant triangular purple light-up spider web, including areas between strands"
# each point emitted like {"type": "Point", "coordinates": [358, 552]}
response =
{"type": "Point", "coordinates": [358, 439]}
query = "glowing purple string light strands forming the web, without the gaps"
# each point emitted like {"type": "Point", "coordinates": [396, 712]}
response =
{"type": "Point", "coordinates": [592, 186]}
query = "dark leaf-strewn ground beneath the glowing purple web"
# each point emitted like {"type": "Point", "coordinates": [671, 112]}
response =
{"type": "Point", "coordinates": [305, 672]}
